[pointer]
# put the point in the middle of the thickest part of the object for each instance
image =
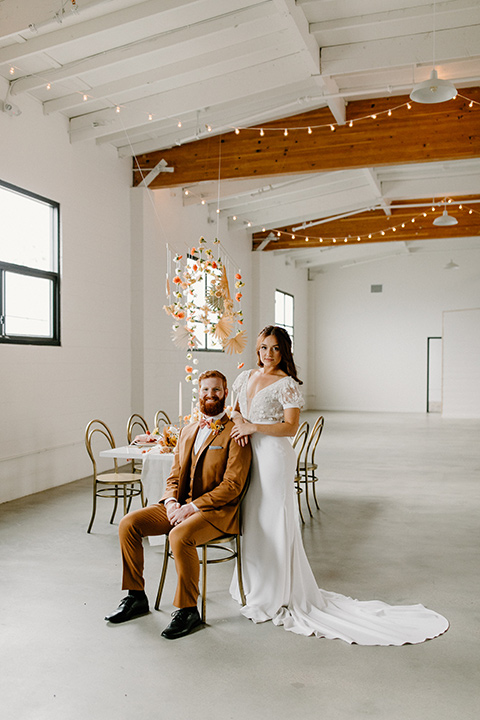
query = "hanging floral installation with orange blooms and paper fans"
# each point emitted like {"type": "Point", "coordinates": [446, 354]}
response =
{"type": "Point", "coordinates": [198, 294]}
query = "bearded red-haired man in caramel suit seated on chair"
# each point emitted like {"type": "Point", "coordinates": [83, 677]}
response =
{"type": "Point", "coordinates": [200, 503]}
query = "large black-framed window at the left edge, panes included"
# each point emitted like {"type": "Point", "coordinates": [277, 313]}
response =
{"type": "Point", "coordinates": [29, 273]}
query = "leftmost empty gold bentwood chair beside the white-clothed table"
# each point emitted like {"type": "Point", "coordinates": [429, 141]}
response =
{"type": "Point", "coordinates": [116, 485]}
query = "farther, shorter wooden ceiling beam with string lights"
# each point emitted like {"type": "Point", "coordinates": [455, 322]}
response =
{"type": "Point", "coordinates": [369, 226]}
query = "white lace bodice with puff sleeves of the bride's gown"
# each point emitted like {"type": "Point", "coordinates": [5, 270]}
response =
{"type": "Point", "coordinates": [268, 404]}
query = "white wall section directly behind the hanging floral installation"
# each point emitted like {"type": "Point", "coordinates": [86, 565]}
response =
{"type": "Point", "coordinates": [160, 217]}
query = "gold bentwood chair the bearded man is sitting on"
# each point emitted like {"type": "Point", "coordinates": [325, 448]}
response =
{"type": "Point", "coordinates": [227, 553]}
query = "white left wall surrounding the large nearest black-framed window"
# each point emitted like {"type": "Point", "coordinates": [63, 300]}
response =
{"type": "Point", "coordinates": [48, 394]}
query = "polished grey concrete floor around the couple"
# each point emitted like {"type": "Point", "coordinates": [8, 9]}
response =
{"type": "Point", "coordinates": [400, 500]}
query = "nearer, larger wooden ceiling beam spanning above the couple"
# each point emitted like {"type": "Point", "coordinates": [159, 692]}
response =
{"type": "Point", "coordinates": [425, 133]}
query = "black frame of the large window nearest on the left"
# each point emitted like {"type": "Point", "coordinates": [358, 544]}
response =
{"type": "Point", "coordinates": [26, 271]}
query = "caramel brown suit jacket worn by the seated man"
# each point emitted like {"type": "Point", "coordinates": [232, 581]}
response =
{"type": "Point", "coordinates": [214, 478]}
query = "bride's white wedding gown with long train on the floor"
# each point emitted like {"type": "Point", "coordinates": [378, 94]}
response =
{"type": "Point", "coordinates": [278, 581]}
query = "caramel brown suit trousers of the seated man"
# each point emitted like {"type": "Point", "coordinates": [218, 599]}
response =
{"type": "Point", "coordinates": [184, 538]}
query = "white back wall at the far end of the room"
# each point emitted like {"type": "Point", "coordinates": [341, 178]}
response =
{"type": "Point", "coordinates": [369, 350]}
